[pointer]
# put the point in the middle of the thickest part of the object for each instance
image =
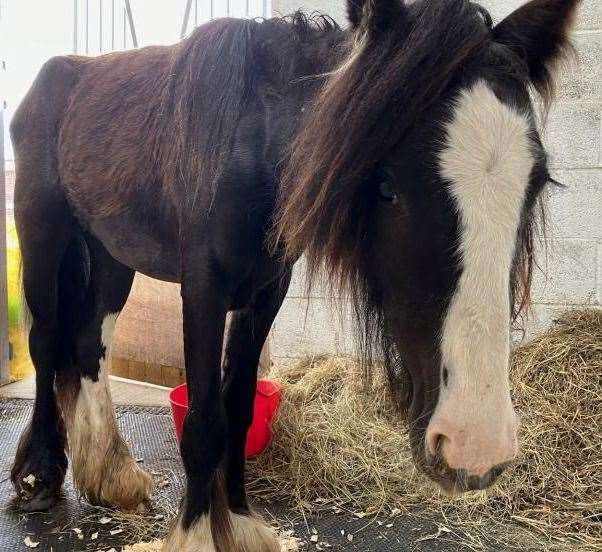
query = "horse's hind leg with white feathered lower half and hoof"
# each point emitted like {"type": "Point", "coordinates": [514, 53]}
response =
{"type": "Point", "coordinates": [104, 471]}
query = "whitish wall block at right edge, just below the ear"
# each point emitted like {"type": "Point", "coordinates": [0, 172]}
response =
{"type": "Point", "coordinates": [572, 135]}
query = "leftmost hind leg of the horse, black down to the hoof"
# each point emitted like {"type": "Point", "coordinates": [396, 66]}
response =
{"type": "Point", "coordinates": [45, 230]}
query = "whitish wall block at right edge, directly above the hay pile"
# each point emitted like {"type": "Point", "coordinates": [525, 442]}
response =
{"type": "Point", "coordinates": [568, 273]}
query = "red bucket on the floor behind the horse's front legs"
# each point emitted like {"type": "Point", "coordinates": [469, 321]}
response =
{"type": "Point", "coordinates": [267, 399]}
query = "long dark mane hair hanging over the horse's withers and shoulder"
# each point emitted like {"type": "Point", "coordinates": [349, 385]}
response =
{"type": "Point", "coordinates": [216, 72]}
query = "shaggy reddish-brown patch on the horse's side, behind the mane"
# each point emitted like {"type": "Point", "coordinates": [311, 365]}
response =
{"type": "Point", "coordinates": [113, 130]}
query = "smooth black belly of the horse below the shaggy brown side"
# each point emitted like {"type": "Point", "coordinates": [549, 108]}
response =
{"type": "Point", "coordinates": [145, 251]}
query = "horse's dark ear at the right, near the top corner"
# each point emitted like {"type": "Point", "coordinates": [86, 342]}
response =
{"type": "Point", "coordinates": [539, 33]}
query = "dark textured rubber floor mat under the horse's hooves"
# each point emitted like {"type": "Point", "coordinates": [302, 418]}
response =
{"type": "Point", "coordinates": [148, 430]}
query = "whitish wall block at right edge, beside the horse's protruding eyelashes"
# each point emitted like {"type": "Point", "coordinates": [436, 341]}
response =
{"type": "Point", "coordinates": [575, 211]}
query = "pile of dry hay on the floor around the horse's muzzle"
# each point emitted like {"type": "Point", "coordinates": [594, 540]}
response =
{"type": "Point", "coordinates": [338, 444]}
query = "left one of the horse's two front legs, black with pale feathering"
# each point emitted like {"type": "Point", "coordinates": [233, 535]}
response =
{"type": "Point", "coordinates": [203, 524]}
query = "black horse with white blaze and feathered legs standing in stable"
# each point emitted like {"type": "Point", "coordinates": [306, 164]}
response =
{"type": "Point", "coordinates": [400, 155]}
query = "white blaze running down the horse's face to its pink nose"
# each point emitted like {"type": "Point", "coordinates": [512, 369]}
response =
{"type": "Point", "coordinates": [487, 160]}
